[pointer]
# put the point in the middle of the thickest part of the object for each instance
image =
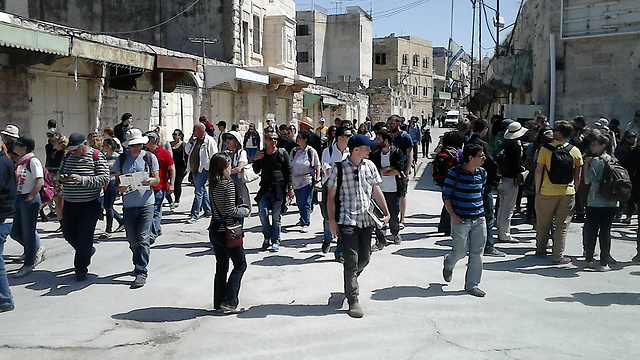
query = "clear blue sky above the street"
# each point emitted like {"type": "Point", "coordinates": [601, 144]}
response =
{"type": "Point", "coordinates": [427, 19]}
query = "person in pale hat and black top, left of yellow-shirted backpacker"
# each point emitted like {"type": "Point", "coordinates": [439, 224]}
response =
{"type": "Point", "coordinates": [509, 159]}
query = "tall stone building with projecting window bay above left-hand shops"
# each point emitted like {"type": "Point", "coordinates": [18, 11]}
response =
{"type": "Point", "coordinates": [257, 37]}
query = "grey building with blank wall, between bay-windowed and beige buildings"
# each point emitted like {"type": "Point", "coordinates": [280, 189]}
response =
{"type": "Point", "coordinates": [336, 48]}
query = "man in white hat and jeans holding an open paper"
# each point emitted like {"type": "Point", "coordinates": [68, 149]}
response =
{"type": "Point", "coordinates": [138, 204]}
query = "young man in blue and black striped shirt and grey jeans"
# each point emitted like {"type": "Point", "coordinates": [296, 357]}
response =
{"type": "Point", "coordinates": [462, 194]}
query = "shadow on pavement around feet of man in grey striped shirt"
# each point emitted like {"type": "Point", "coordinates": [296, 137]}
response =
{"type": "Point", "coordinates": [63, 282]}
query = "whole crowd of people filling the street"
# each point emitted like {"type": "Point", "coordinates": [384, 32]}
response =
{"type": "Point", "coordinates": [358, 175]}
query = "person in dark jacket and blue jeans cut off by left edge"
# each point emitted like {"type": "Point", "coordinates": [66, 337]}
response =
{"type": "Point", "coordinates": [8, 195]}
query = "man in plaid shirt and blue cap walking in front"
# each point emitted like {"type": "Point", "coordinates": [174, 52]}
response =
{"type": "Point", "coordinates": [358, 180]}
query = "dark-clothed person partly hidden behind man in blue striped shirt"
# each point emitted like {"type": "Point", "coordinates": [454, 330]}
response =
{"type": "Point", "coordinates": [480, 129]}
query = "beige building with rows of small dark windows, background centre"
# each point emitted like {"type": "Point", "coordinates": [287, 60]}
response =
{"type": "Point", "coordinates": [407, 63]}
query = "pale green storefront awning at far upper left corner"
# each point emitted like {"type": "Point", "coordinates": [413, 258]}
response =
{"type": "Point", "coordinates": [28, 39]}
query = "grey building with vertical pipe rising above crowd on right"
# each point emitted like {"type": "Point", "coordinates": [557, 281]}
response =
{"type": "Point", "coordinates": [592, 71]}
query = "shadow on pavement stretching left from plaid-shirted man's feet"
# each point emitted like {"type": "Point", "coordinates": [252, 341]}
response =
{"type": "Point", "coordinates": [333, 307]}
